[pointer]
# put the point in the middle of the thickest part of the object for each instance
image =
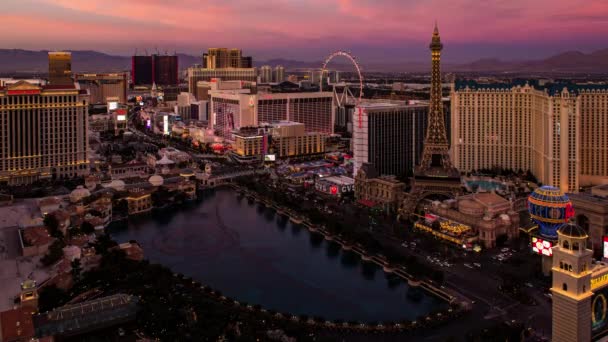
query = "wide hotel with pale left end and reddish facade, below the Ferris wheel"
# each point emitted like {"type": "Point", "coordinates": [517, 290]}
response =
{"type": "Point", "coordinates": [235, 109]}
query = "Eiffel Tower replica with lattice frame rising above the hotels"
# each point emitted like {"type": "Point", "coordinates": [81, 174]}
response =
{"type": "Point", "coordinates": [435, 175]}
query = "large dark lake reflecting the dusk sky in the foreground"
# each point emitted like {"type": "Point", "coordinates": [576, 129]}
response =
{"type": "Point", "coordinates": [250, 253]}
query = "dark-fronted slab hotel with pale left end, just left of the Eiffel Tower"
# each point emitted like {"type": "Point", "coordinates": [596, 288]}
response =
{"type": "Point", "coordinates": [389, 135]}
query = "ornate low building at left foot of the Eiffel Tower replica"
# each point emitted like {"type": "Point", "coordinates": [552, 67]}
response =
{"type": "Point", "coordinates": [374, 190]}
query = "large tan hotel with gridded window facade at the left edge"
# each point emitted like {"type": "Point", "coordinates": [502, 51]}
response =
{"type": "Point", "coordinates": [43, 132]}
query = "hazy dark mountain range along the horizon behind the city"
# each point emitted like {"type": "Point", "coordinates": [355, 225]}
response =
{"type": "Point", "coordinates": [33, 62]}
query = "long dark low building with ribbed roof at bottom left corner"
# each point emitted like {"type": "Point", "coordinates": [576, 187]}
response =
{"type": "Point", "coordinates": [77, 319]}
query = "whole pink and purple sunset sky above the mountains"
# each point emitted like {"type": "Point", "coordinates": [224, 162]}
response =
{"type": "Point", "coordinates": [380, 30]}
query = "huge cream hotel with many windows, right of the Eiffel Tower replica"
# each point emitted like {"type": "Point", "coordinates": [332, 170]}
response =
{"type": "Point", "coordinates": [557, 131]}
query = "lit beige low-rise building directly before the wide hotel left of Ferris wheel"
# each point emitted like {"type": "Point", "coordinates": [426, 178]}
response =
{"type": "Point", "coordinates": [282, 139]}
